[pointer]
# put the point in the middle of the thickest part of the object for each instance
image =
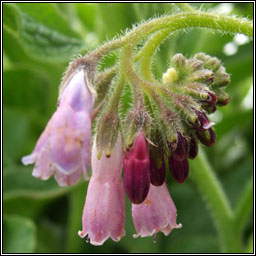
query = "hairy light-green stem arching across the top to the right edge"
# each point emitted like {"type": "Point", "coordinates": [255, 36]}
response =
{"type": "Point", "coordinates": [175, 22]}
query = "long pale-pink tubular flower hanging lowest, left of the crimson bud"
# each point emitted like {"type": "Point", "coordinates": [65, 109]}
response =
{"type": "Point", "coordinates": [104, 210]}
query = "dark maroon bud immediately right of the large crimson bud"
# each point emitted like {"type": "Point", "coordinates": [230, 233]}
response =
{"type": "Point", "coordinates": [157, 175]}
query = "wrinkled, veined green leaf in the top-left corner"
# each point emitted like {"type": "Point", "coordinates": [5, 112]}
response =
{"type": "Point", "coordinates": [43, 33]}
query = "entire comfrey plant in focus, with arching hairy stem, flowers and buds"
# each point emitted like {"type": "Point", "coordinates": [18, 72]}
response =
{"type": "Point", "coordinates": [162, 126]}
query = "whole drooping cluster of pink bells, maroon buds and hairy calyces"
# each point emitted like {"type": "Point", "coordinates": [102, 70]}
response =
{"type": "Point", "coordinates": [160, 127]}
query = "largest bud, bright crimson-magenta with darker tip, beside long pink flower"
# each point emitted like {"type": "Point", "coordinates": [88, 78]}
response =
{"type": "Point", "coordinates": [136, 170]}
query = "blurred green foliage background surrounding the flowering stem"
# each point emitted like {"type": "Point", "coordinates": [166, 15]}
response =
{"type": "Point", "coordinates": [39, 39]}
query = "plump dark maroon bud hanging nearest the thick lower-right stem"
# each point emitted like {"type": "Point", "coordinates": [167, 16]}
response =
{"type": "Point", "coordinates": [179, 169]}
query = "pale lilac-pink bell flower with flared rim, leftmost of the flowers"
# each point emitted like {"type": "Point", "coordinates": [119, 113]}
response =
{"type": "Point", "coordinates": [63, 148]}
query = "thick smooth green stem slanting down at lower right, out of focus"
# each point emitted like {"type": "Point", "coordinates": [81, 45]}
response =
{"type": "Point", "coordinates": [205, 179]}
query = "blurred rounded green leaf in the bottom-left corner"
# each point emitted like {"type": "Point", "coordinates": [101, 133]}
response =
{"type": "Point", "coordinates": [19, 235]}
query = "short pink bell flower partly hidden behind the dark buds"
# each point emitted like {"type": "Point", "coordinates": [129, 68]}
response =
{"type": "Point", "coordinates": [157, 213]}
